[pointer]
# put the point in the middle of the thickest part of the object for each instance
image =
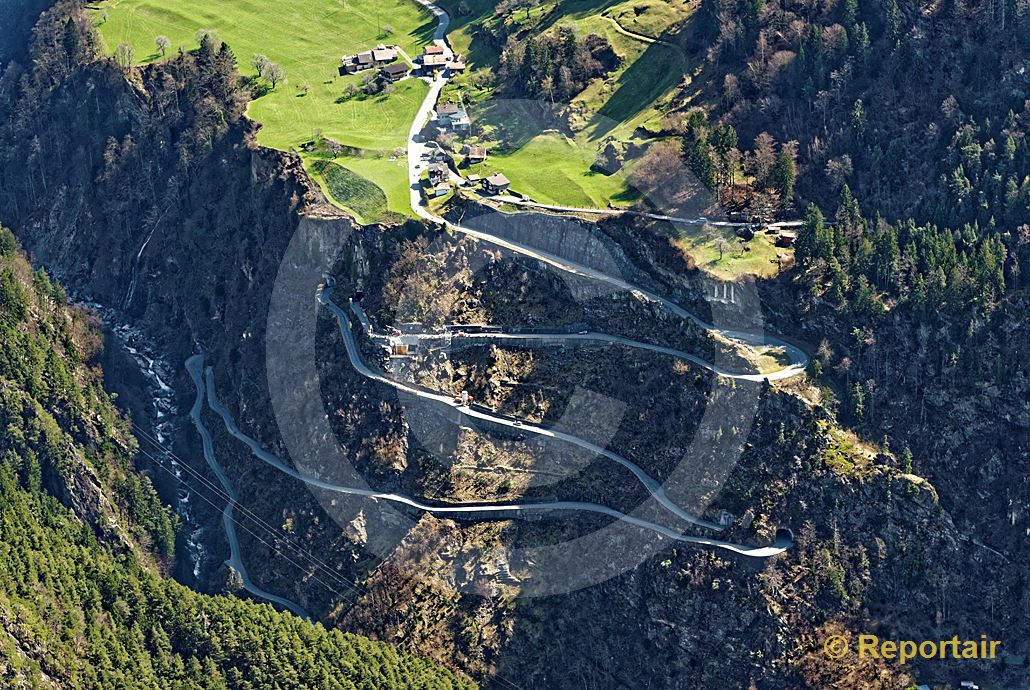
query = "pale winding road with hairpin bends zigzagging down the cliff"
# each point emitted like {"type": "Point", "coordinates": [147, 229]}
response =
{"type": "Point", "coordinates": [417, 149]}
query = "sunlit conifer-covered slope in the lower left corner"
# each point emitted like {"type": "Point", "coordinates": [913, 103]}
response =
{"type": "Point", "coordinates": [81, 600]}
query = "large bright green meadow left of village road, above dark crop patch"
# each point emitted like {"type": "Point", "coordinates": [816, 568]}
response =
{"type": "Point", "coordinates": [307, 38]}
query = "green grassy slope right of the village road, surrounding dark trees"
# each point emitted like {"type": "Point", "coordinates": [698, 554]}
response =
{"type": "Point", "coordinates": [553, 168]}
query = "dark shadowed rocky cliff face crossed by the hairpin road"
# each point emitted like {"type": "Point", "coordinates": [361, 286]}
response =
{"type": "Point", "coordinates": [146, 193]}
